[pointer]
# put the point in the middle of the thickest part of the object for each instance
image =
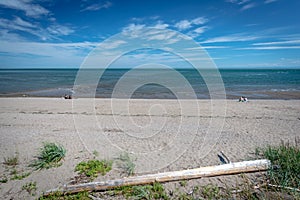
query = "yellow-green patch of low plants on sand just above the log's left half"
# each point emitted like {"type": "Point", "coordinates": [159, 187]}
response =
{"type": "Point", "coordinates": [92, 168]}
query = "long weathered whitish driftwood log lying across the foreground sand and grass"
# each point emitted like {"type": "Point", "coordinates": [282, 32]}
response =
{"type": "Point", "coordinates": [226, 169]}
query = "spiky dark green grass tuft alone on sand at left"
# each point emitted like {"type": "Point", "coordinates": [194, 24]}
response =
{"type": "Point", "coordinates": [49, 156]}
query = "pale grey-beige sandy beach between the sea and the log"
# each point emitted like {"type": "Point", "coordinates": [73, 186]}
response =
{"type": "Point", "coordinates": [161, 135]}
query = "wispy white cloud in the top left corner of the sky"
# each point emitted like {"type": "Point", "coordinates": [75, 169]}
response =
{"type": "Point", "coordinates": [30, 9]}
